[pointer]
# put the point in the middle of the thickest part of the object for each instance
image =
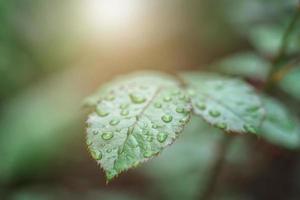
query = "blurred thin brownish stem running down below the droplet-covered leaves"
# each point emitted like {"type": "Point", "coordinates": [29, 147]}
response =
{"type": "Point", "coordinates": [217, 168]}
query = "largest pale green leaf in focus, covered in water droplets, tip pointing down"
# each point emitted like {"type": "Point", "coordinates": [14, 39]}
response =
{"type": "Point", "coordinates": [135, 121]}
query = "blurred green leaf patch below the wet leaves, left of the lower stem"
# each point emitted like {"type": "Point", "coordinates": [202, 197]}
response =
{"type": "Point", "coordinates": [188, 174]}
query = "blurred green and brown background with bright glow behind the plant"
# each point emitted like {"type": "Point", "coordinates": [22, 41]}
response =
{"type": "Point", "coordinates": [53, 53]}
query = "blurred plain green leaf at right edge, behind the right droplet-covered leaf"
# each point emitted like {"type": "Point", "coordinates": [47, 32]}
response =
{"type": "Point", "coordinates": [280, 127]}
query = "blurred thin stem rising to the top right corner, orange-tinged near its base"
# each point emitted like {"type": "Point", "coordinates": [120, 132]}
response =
{"type": "Point", "coordinates": [278, 70]}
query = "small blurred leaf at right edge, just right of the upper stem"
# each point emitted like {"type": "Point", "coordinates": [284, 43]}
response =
{"type": "Point", "coordinates": [290, 83]}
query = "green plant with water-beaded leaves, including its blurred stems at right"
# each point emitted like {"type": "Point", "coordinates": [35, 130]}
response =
{"type": "Point", "coordinates": [138, 115]}
